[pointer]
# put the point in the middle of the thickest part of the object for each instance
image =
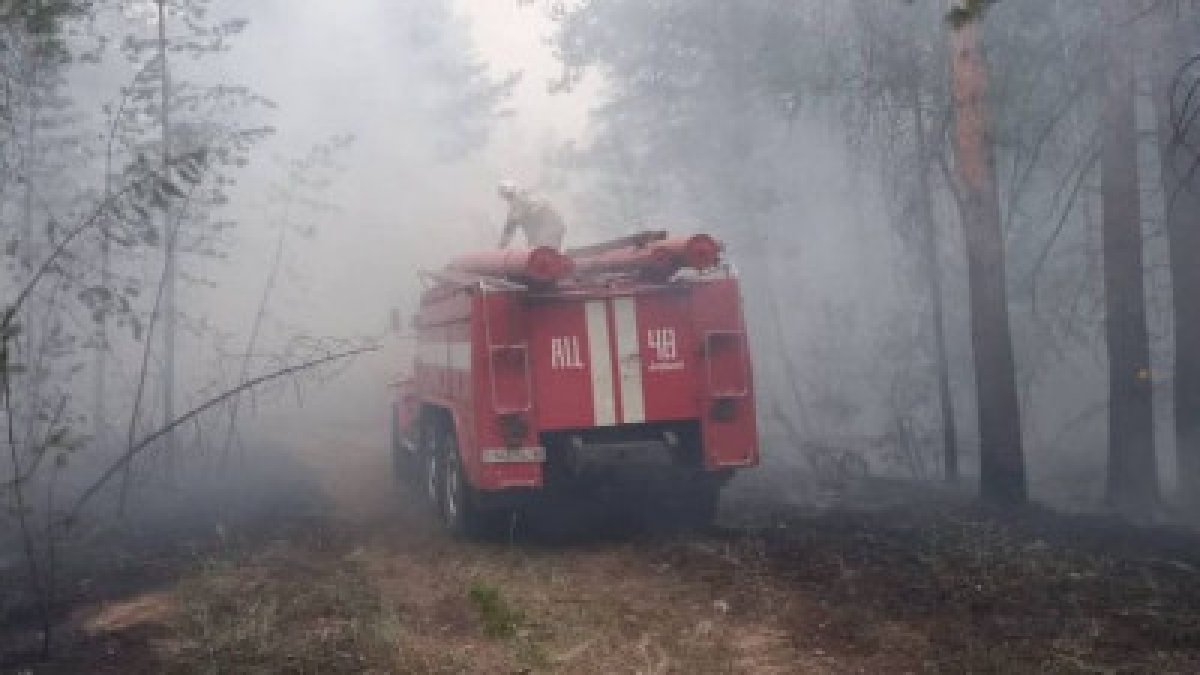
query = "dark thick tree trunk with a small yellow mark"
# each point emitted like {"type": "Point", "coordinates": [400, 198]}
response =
{"type": "Point", "coordinates": [1133, 471]}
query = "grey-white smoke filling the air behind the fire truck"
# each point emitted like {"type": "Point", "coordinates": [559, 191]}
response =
{"type": "Point", "coordinates": [443, 100]}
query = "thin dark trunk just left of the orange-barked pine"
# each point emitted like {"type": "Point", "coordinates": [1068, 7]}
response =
{"type": "Point", "coordinates": [934, 289]}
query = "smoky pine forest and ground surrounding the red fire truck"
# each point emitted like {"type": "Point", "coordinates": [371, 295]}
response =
{"type": "Point", "coordinates": [967, 235]}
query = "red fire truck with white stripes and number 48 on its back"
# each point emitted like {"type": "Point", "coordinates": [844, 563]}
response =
{"type": "Point", "coordinates": [539, 374]}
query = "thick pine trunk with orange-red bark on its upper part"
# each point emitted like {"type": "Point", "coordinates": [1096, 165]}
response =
{"type": "Point", "coordinates": [1001, 455]}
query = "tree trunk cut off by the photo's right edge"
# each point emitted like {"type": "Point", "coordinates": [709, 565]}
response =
{"type": "Point", "coordinates": [1179, 156]}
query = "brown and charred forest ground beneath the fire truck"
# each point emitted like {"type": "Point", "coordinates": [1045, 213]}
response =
{"type": "Point", "coordinates": [365, 582]}
